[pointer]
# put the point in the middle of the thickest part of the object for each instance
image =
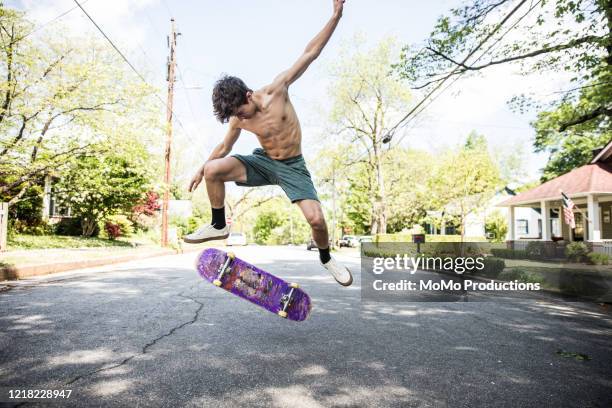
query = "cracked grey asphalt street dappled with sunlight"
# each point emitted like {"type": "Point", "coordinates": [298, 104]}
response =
{"type": "Point", "coordinates": [152, 333]}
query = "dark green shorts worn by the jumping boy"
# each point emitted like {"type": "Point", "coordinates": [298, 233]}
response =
{"type": "Point", "coordinates": [290, 174]}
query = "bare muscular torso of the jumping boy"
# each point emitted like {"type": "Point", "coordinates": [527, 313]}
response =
{"type": "Point", "coordinates": [275, 124]}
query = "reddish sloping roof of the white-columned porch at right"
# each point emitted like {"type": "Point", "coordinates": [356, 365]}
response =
{"type": "Point", "coordinates": [588, 179]}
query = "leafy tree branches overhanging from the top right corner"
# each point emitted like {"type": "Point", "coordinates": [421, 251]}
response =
{"type": "Point", "coordinates": [537, 37]}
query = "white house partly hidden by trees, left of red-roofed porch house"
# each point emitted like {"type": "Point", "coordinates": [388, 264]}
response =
{"type": "Point", "coordinates": [475, 221]}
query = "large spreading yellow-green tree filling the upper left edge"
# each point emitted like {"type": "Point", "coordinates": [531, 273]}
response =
{"type": "Point", "coordinates": [62, 98]}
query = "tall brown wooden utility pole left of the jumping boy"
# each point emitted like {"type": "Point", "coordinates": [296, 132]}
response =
{"type": "Point", "coordinates": [170, 78]}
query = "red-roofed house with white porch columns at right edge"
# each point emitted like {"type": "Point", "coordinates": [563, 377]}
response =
{"type": "Point", "coordinates": [589, 187]}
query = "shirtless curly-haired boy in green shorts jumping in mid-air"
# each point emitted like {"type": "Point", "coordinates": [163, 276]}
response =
{"type": "Point", "coordinates": [269, 114]}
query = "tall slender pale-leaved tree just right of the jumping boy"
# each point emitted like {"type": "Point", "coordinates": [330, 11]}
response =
{"type": "Point", "coordinates": [366, 99]}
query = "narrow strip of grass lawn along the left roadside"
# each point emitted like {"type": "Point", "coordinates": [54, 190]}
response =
{"type": "Point", "coordinates": [18, 242]}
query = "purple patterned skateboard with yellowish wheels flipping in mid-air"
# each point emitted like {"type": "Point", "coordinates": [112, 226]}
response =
{"type": "Point", "coordinates": [225, 270]}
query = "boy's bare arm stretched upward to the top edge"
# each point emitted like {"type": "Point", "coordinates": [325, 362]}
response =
{"type": "Point", "coordinates": [313, 49]}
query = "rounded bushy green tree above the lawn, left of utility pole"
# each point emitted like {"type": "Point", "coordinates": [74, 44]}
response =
{"type": "Point", "coordinates": [98, 186]}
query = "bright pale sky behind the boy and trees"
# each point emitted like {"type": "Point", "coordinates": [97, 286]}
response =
{"type": "Point", "coordinates": [256, 40]}
